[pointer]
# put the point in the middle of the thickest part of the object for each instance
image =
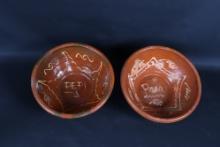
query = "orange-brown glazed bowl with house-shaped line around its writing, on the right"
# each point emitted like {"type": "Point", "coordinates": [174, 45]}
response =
{"type": "Point", "coordinates": [161, 84]}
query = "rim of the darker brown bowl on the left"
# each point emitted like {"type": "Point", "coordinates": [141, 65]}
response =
{"type": "Point", "coordinates": [67, 115]}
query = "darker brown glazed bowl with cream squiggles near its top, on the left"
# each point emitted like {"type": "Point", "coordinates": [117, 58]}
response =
{"type": "Point", "coordinates": [72, 80]}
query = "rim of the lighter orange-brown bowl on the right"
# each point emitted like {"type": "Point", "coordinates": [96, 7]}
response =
{"type": "Point", "coordinates": [145, 114]}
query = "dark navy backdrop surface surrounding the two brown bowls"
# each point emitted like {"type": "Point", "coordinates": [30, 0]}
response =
{"type": "Point", "coordinates": [118, 28]}
